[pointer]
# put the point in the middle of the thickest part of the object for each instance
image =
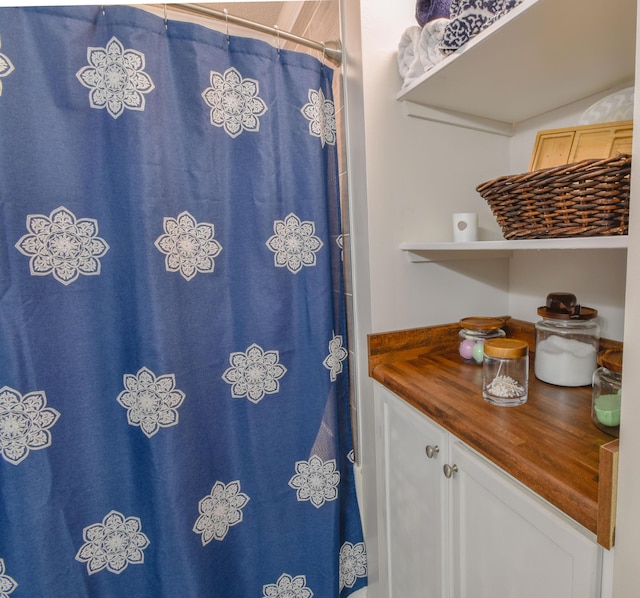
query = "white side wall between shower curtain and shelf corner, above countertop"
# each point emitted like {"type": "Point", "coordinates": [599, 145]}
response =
{"type": "Point", "coordinates": [408, 197]}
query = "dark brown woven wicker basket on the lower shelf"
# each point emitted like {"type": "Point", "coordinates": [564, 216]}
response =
{"type": "Point", "coordinates": [585, 199]}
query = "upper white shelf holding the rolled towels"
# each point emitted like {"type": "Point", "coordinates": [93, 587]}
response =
{"type": "Point", "coordinates": [542, 55]}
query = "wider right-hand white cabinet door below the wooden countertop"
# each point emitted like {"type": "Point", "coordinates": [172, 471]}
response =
{"type": "Point", "coordinates": [508, 542]}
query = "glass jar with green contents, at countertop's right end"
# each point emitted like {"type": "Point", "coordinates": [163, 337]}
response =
{"type": "Point", "coordinates": [607, 393]}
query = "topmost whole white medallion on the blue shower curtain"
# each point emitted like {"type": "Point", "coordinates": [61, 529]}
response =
{"type": "Point", "coordinates": [115, 78]}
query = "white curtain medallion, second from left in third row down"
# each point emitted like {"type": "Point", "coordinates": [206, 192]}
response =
{"type": "Point", "coordinates": [151, 402]}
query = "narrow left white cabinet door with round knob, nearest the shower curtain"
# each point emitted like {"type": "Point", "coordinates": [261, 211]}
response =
{"type": "Point", "coordinates": [414, 502]}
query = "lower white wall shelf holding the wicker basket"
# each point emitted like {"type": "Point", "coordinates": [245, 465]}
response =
{"type": "Point", "coordinates": [482, 250]}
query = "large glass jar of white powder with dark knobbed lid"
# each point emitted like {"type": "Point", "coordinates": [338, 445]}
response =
{"type": "Point", "coordinates": [567, 341]}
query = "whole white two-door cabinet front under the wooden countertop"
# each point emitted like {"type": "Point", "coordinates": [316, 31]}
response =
{"type": "Point", "coordinates": [476, 534]}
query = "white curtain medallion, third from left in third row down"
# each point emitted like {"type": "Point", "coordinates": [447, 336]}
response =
{"type": "Point", "coordinates": [254, 373]}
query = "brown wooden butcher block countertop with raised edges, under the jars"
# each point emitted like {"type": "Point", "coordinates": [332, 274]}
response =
{"type": "Point", "coordinates": [549, 444]}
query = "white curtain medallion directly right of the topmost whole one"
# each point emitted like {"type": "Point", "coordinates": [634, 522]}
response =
{"type": "Point", "coordinates": [234, 102]}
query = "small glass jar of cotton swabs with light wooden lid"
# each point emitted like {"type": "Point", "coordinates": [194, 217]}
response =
{"type": "Point", "coordinates": [505, 372]}
